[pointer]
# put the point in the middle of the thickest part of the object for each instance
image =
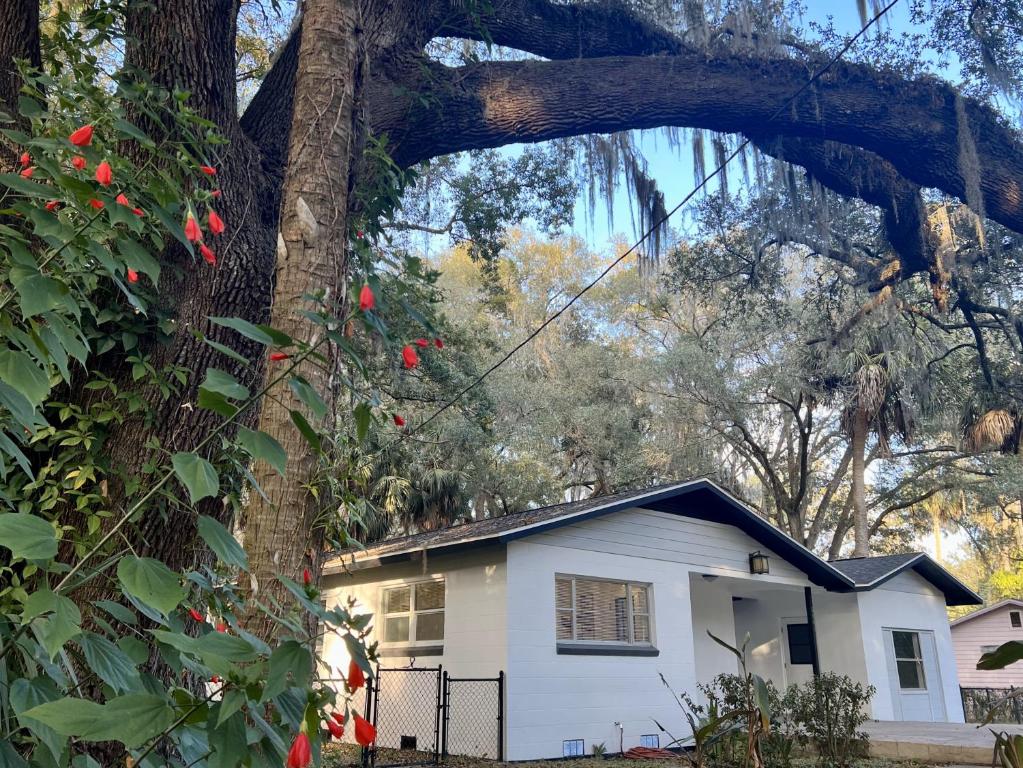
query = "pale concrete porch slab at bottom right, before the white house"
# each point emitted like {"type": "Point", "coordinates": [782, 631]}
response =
{"type": "Point", "coordinates": [936, 743]}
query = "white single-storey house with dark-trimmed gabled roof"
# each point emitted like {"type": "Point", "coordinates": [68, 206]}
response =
{"type": "Point", "coordinates": [584, 605]}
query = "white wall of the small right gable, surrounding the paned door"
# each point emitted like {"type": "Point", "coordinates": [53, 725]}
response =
{"type": "Point", "coordinates": [907, 602]}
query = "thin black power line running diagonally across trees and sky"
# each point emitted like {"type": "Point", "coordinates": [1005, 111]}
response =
{"type": "Point", "coordinates": [653, 229]}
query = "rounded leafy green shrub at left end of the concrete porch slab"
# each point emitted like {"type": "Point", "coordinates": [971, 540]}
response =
{"type": "Point", "coordinates": [829, 711]}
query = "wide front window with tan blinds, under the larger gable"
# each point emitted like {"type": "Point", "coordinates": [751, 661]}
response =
{"type": "Point", "coordinates": [602, 611]}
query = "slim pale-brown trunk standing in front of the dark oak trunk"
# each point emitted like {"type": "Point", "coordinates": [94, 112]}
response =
{"type": "Point", "coordinates": [284, 532]}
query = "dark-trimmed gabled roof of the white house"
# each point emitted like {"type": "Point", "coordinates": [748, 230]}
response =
{"type": "Point", "coordinates": [701, 500]}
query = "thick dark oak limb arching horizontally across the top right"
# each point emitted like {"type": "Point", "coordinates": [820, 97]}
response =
{"type": "Point", "coordinates": [911, 124]}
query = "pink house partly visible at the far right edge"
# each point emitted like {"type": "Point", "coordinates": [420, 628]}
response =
{"type": "Point", "coordinates": [986, 630]}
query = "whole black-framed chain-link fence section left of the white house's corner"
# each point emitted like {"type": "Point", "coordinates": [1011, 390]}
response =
{"type": "Point", "coordinates": [425, 710]}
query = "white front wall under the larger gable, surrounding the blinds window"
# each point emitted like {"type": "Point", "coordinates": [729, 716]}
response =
{"type": "Point", "coordinates": [553, 698]}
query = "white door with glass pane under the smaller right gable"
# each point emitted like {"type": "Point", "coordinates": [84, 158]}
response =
{"type": "Point", "coordinates": [914, 675]}
